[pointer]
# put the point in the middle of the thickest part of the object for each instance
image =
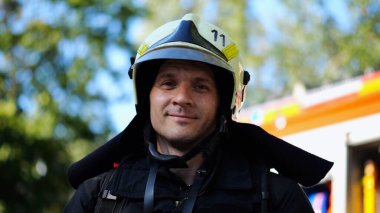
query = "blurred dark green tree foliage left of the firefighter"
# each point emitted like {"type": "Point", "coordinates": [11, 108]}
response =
{"type": "Point", "coordinates": [50, 114]}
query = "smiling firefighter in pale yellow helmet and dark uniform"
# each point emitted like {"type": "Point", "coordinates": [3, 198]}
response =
{"type": "Point", "coordinates": [184, 151]}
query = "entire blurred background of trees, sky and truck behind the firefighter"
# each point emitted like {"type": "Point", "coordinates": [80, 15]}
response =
{"type": "Point", "coordinates": [64, 88]}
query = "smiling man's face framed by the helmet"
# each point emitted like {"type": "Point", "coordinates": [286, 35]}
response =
{"type": "Point", "coordinates": [183, 103]}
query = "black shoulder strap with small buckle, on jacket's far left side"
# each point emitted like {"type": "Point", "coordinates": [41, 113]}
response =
{"type": "Point", "coordinates": [106, 201]}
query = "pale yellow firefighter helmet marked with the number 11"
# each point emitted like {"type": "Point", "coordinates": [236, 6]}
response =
{"type": "Point", "coordinates": [192, 38]}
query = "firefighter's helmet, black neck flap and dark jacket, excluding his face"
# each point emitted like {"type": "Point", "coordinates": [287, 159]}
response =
{"type": "Point", "coordinates": [234, 175]}
